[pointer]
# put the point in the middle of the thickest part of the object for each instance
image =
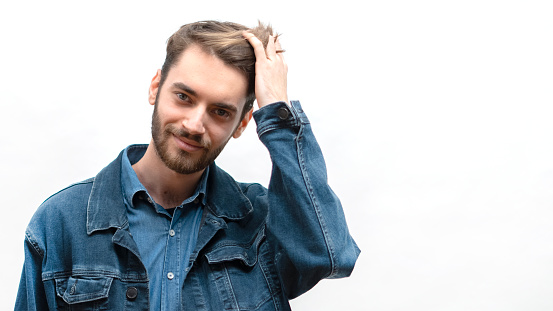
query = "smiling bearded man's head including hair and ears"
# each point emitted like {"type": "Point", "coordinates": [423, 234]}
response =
{"type": "Point", "coordinates": [203, 94]}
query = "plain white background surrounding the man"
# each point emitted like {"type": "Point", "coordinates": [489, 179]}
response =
{"type": "Point", "coordinates": [434, 118]}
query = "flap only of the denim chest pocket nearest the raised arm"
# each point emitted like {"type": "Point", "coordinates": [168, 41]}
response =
{"type": "Point", "coordinates": [229, 252]}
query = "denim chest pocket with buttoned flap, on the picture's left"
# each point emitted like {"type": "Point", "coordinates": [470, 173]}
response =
{"type": "Point", "coordinates": [83, 292]}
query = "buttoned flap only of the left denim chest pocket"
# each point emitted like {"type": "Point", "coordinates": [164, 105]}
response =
{"type": "Point", "coordinates": [77, 289]}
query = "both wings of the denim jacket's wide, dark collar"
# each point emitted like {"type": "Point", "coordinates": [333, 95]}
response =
{"type": "Point", "coordinates": [106, 208]}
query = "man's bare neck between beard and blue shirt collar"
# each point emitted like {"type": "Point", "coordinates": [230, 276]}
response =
{"type": "Point", "coordinates": [167, 187]}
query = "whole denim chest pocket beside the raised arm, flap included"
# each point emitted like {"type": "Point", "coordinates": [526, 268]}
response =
{"type": "Point", "coordinates": [241, 276]}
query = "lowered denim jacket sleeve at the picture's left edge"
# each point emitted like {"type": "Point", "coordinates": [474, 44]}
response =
{"type": "Point", "coordinates": [31, 295]}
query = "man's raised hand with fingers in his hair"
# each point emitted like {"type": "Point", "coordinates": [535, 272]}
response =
{"type": "Point", "coordinates": [270, 71]}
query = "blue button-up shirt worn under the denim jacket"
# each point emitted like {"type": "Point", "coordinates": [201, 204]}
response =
{"type": "Point", "coordinates": [164, 241]}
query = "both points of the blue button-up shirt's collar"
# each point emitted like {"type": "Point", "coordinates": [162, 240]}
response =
{"type": "Point", "coordinates": [131, 185]}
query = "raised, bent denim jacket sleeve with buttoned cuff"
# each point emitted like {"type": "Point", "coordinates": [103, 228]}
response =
{"type": "Point", "coordinates": [305, 221]}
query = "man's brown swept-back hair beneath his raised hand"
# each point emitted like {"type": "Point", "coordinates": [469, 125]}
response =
{"type": "Point", "coordinates": [223, 40]}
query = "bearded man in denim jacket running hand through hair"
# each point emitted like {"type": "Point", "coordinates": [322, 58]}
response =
{"type": "Point", "coordinates": [163, 228]}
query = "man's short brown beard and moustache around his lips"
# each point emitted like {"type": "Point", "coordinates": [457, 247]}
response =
{"type": "Point", "coordinates": [181, 161]}
